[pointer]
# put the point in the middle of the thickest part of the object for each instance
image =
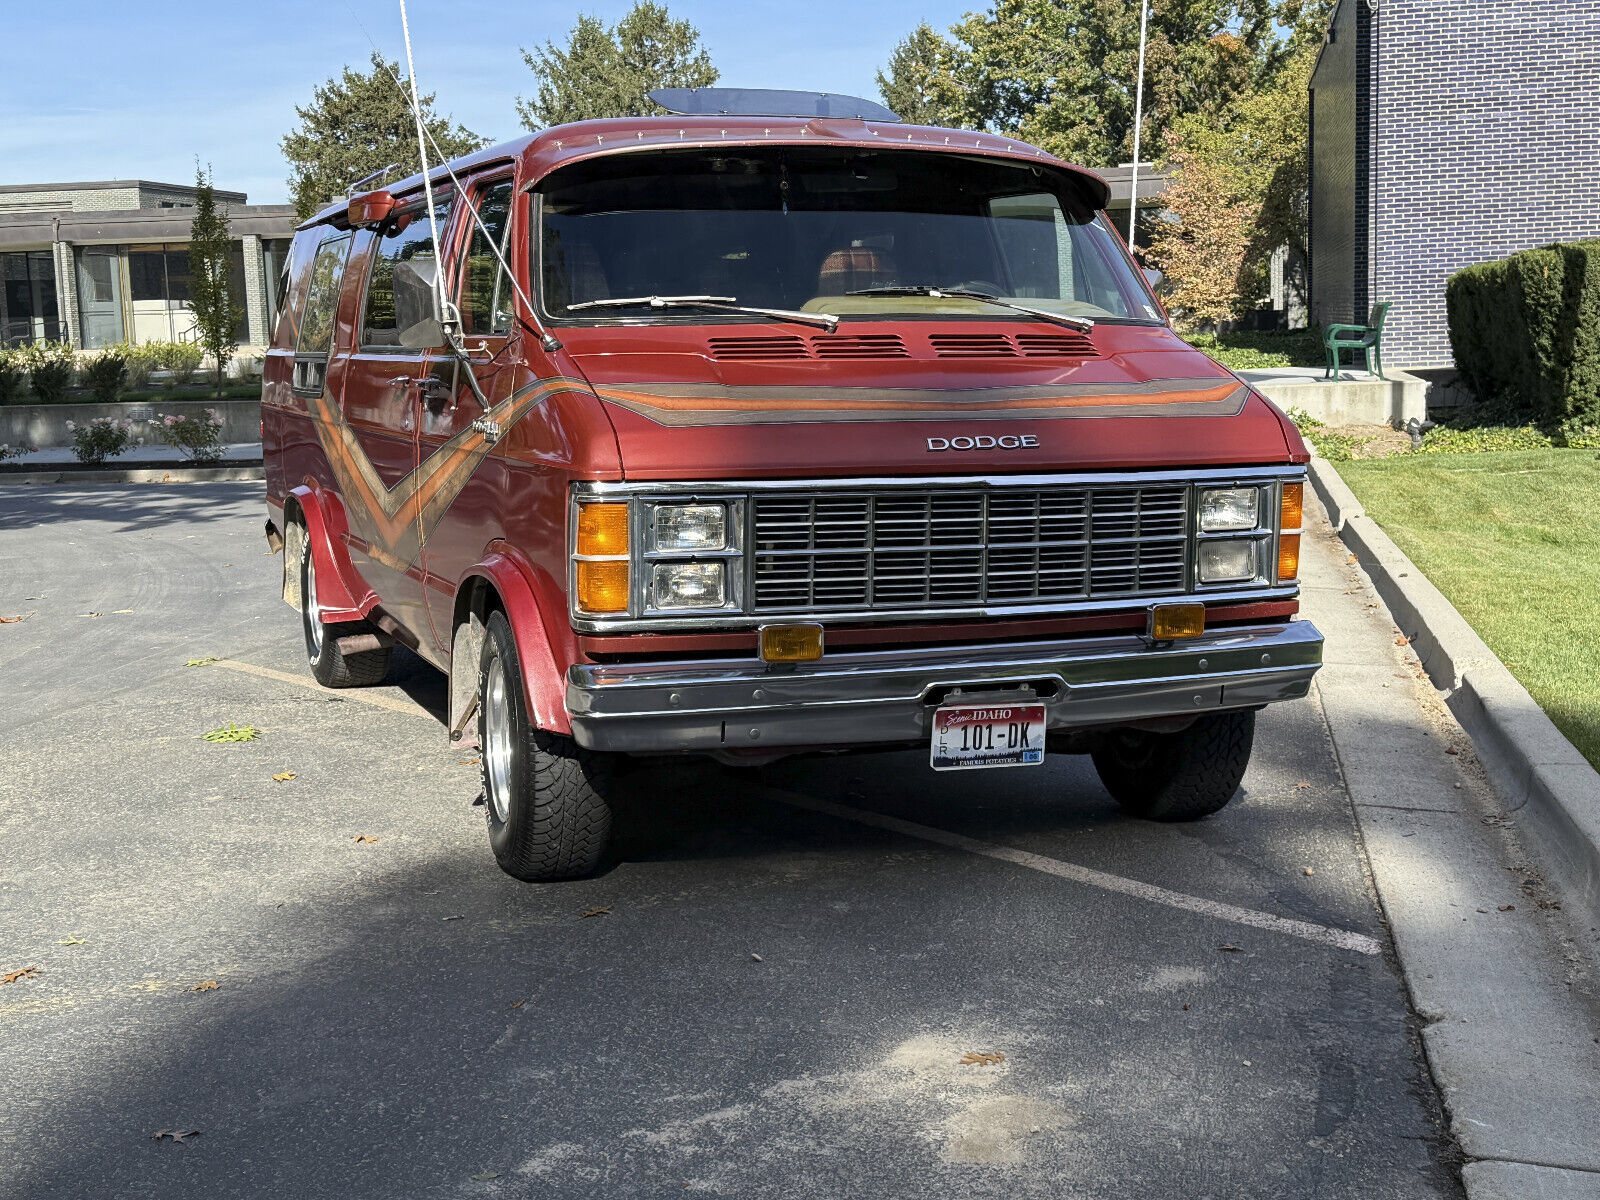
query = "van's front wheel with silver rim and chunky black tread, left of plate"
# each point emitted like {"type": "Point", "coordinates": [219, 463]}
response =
{"type": "Point", "coordinates": [548, 799]}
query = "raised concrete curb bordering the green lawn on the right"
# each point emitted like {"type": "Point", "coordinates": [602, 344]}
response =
{"type": "Point", "coordinates": [1545, 780]}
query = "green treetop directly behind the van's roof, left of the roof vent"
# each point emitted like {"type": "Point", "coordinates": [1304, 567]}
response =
{"type": "Point", "coordinates": [606, 73]}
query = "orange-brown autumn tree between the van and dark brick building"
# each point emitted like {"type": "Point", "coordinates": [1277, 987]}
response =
{"type": "Point", "coordinates": [1238, 194]}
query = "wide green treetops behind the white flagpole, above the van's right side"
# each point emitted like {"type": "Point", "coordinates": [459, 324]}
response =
{"type": "Point", "coordinates": [1062, 73]}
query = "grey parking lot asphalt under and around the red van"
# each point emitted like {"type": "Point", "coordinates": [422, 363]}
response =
{"type": "Point", "coordinates": [770, 996]}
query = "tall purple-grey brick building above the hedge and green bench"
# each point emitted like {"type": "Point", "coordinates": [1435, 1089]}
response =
{"type": "Point", "coordinates": [1447, 134]}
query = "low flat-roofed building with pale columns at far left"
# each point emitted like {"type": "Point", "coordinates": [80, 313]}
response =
{"type": "Point", "coordinates": [100, 263]}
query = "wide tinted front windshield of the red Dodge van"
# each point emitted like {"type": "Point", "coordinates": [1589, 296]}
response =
{"type": "Point", "coordinates": [828, 231]}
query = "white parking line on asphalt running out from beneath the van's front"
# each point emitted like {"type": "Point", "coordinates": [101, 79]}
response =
{"type": "Point", "coordinates": [1324, 935]}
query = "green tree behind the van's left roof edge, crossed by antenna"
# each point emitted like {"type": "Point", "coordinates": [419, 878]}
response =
{"type": "Point", "coordinates": [359, 124]}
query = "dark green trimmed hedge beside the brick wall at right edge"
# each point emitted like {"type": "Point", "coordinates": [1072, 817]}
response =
{"type": "Point", "coordinates": [1527, 332]}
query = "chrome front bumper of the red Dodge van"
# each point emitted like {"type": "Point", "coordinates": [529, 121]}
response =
{"type": "Point", "coordinates": [881, 697]}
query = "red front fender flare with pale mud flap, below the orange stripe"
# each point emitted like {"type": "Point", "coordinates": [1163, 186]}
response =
{"type": "Point", "coordinates": [545, 687]}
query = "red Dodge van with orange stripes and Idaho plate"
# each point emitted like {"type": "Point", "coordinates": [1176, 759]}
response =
{"type": "Point", "coordinates": [777, 426]}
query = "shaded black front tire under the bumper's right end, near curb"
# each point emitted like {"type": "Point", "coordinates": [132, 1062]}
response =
{"type": "Point", "coordinates": [1178, 777]}
